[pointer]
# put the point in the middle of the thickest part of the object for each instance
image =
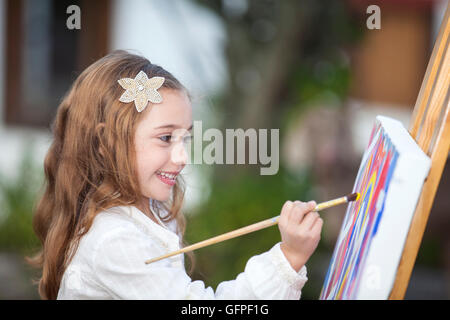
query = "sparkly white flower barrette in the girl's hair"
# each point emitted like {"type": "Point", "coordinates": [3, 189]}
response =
{"type": "Point", "coordinates": [141, 89]}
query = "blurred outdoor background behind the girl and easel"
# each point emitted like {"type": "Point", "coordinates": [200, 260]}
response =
{"type": "Point", "coordinates": [310, 68]}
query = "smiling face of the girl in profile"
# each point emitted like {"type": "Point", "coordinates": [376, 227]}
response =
{"type": "Point", "coordinates": [159, 143]}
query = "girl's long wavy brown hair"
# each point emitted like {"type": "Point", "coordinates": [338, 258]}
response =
{"type": "Point", "coordinates": [81, 181]}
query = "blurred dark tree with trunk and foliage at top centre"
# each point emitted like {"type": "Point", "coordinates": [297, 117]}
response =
{"type": "Point", "coordinates": [281, 55]}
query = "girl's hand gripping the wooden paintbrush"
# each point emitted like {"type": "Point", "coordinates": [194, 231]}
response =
{"type": "Point", "coordinates": [300, 229]}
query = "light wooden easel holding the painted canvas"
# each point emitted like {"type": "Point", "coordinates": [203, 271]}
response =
{"type": "Point", "coordinates": [430, 127]}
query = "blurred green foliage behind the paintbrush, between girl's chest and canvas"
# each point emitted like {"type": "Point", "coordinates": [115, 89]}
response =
{"type": "Point", "coordinates": [244, 200]}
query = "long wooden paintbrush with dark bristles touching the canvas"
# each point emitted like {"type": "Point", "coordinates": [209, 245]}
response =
{"type": "Point", "coordinates": [254, 227]}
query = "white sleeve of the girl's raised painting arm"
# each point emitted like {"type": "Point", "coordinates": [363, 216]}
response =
{"type": "Point", "coordinates": [119, 268]}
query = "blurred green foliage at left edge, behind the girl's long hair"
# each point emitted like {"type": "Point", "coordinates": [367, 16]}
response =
{"type": "Point", "coordinates": [18, 198]}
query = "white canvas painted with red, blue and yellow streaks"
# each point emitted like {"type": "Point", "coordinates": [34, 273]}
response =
{"type": "Point", "coordinates": [374, 230]}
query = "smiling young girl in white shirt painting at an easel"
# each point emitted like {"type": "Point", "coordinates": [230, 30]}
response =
{"type": "Point", "coordinates": [114, 192]}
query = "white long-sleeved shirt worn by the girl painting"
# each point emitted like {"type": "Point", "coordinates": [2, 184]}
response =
{"type": "Point", "coordinates": [110, 264]}
